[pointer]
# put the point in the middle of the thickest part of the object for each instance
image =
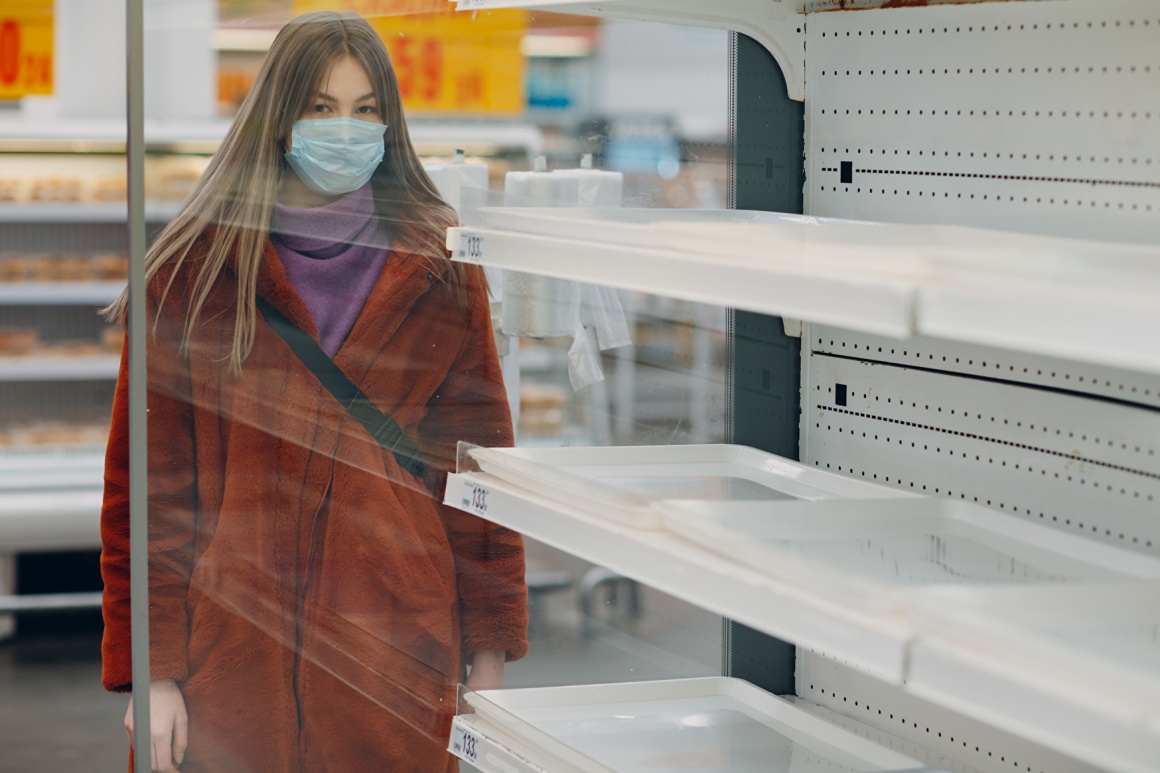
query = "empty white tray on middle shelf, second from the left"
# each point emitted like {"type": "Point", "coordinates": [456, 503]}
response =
{"type": "Point", "coordinates": [862, 547]}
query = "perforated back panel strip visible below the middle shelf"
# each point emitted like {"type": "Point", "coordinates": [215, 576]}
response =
{"type": "Point", "coordinates": [952, 742]}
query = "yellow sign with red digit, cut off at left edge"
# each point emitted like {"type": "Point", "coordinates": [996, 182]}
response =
{"type": "Point", "coordinates": [26, 48]}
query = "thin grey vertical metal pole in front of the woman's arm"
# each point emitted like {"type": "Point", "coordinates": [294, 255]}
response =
{"type": "Point", "coordinates": [139, 437]}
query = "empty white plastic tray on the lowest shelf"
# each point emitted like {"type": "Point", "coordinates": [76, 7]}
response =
{"type": "Point", "coordinates": [709, 725]}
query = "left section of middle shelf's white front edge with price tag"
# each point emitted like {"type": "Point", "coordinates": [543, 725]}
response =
{"type": "Point", "coordinates": [871, 640]}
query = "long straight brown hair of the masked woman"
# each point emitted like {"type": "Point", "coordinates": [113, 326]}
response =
{"type": "Point", "coordinates": [237, 194]}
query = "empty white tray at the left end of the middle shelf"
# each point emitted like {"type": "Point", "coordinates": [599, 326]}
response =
{"type": "Point", "coordinates": [623, 483]}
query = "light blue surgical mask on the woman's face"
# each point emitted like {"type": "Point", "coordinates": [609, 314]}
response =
{"type": "Point", "coordinates": [336, 156]}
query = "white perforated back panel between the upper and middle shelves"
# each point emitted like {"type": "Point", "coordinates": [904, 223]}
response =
{"type": "Point", "coordinates": [1084, 466]}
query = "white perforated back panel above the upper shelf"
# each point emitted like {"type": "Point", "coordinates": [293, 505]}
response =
{"type": "Point", "coordinates": [1033, 117]}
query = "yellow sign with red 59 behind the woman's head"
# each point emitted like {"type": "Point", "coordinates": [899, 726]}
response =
{"type": "Point", "coordinates": [447, 62]}
